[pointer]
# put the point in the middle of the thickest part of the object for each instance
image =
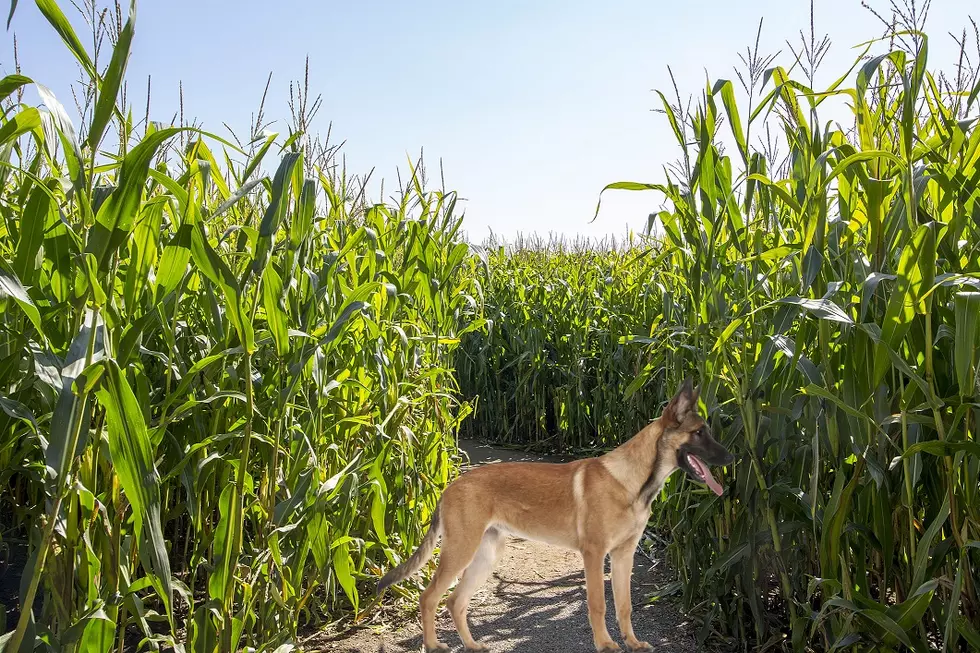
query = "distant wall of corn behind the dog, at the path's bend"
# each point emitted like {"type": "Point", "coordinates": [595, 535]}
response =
{"type": "Point", "coordinates": [550, 368]}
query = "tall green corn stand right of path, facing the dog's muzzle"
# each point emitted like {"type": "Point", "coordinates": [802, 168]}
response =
{"type": "Point", "coordinates": [828, 307]}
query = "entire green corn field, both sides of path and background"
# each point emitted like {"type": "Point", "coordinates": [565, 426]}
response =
{"type": "Point", "coordinates": [232, 384]}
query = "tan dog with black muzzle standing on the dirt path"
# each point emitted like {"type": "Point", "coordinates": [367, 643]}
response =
{"type": "Point", "coordinates": [597, 506]}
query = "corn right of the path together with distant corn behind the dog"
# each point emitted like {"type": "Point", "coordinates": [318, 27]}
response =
{"type": "Point", "coordinates": [827, 300]}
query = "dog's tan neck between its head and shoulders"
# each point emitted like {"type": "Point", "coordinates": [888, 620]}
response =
{"type": "Point", "coordinates": [639, 465]}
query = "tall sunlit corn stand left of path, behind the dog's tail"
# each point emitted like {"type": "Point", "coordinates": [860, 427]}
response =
{"type": "Point", "coordinates": [228, 396]}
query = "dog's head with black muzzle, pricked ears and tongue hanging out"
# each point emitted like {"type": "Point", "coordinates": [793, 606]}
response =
{"type": "Point", "coordinates": [686, 437]}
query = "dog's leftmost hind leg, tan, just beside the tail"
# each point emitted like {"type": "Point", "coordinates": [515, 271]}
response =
{"type": "Point", "coordinates": [459, 544]}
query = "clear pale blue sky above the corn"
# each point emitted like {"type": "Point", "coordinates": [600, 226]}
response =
{"type": "Point", "coordinates": [532, 106]}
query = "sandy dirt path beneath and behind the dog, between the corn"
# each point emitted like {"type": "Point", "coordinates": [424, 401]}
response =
{"type": "Point", "coordinates": [535, 601]}
